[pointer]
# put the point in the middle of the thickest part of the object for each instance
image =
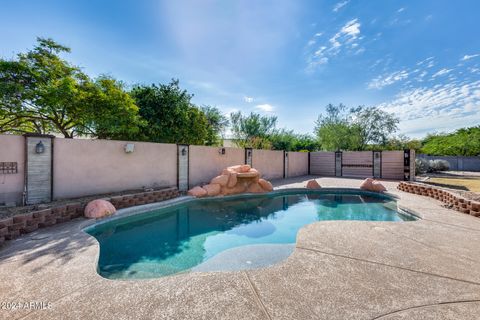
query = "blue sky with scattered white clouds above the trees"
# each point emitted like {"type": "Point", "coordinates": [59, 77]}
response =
{"type": "Point", "coordinates": [418, 59]}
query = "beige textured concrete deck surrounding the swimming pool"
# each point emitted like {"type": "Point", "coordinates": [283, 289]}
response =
{"type": "Point", "coordinates": [425, 269]}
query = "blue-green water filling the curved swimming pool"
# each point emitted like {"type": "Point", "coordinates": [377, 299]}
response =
{"type": "Point", "coordinates": [178, 238]}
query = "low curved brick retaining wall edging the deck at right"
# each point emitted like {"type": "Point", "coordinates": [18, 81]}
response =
{"type": "Point", "coordinates": [454, 200]}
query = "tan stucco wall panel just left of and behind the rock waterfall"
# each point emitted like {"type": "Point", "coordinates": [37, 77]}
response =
{"type": "Point", "coordinates": [207, 162]}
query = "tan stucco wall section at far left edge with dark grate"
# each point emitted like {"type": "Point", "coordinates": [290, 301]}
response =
{"type": "Point", "coordinates": [12, 149]}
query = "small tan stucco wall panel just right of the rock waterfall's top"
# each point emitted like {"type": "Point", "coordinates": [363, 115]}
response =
{"type": "Point", "coordinates": [269, 163]}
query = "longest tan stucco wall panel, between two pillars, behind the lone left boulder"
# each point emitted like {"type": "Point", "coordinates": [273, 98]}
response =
{"type": "Point", "coordinates": [87, 167]}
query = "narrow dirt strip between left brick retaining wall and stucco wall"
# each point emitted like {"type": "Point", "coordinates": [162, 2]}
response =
{"type": "Point", "coordinates": [6, 212]}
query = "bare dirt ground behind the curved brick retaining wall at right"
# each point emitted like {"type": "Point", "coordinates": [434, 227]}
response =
{"type": "Point", "coordinates": [464, 183]}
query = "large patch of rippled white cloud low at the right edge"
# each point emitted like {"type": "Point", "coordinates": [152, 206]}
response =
{"type": "Point", "coordinates": [446, 101]}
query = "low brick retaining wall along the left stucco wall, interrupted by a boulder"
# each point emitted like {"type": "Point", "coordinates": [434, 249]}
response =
{"type": "Point", "coordinates": [13, 227]}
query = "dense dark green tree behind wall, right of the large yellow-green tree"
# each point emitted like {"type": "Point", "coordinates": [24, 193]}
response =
{"type": "Point", "coordinates": [170, 115]}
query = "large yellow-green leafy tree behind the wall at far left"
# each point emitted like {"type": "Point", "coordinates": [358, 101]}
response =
{"type": "Point", "coordinates": [40, 92]}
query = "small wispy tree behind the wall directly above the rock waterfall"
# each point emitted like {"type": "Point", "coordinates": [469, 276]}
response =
{"type": "Point", "coordinates": [252, 130]}
